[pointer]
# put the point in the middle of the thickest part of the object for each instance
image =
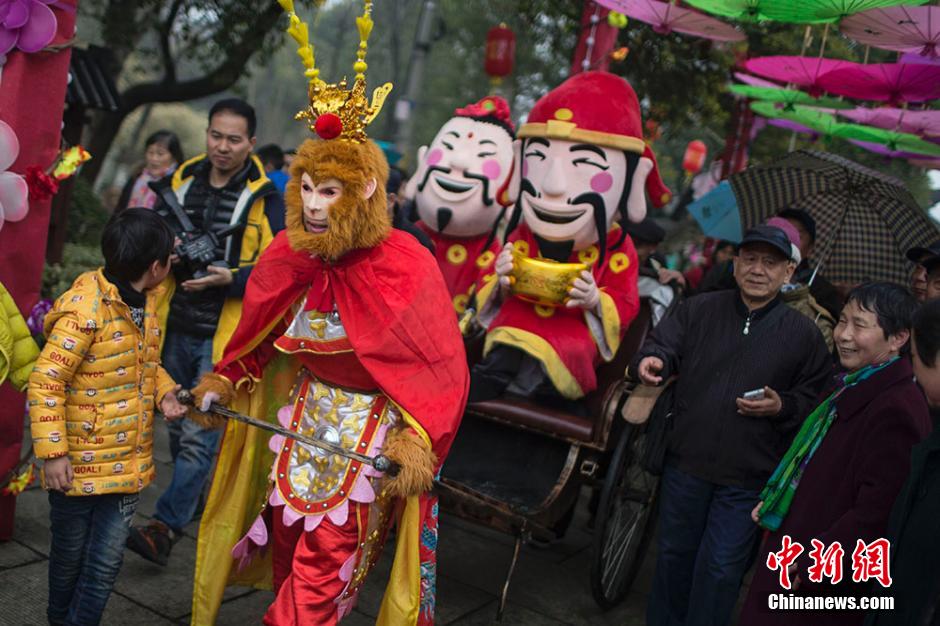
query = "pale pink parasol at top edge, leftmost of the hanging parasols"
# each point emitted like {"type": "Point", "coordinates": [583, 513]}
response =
{"type": "Point", "coordinates": [666, 18]}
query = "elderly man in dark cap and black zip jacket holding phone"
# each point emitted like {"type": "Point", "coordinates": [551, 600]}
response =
{"type": "Point", "coordinates": [725, 444]}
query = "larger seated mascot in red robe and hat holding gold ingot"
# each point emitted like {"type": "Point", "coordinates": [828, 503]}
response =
{"type": "Point", "coordinates": [583, 168]}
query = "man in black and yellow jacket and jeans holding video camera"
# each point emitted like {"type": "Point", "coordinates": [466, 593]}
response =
{"type": "Point", "coordinates": [225, 212]}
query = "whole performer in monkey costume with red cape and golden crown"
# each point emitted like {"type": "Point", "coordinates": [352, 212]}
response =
{"type": "Point", "coordinates": [347, 335]}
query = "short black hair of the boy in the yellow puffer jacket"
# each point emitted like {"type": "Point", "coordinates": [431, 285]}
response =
{"type": "Point", "coordinates": [133, 240]}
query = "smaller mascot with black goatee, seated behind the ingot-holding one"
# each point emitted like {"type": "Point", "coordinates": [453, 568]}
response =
{"type": "Point", "coordinates": [459, 192]}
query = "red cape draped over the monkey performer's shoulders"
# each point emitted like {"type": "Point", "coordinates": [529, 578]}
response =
{"type": "Point", "coordinates": [396, 312]}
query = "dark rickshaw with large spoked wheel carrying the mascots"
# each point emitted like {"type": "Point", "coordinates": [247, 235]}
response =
{"type": "Point", "coordinates": [519, 467]}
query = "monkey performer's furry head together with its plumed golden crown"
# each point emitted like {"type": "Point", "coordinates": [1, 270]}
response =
{"type": "Point", "coordinates": [336, 198]}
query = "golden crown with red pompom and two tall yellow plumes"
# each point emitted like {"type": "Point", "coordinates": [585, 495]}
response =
{"type": "Point", "coordinates": [336, 112]}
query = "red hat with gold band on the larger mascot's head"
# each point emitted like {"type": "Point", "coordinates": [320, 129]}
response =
{"type": "Point", "coordinates": [598, 108]}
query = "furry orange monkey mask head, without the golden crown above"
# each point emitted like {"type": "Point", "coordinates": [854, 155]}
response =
{"type": "Point", "coordinates": [336, 197]}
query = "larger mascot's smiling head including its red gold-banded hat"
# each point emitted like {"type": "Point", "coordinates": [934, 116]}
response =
{"type": "Point", "coordinates": [583, 165]}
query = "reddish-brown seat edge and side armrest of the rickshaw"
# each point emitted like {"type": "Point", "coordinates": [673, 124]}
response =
{"type": "Point", "coordinates": [593, 427]}
